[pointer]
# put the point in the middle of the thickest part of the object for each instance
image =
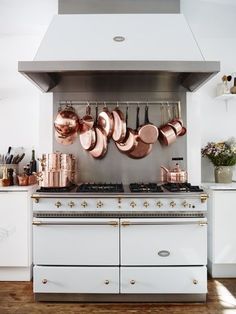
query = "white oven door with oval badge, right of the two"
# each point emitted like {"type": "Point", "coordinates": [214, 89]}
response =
{"type": "Point", "coordinates": [164, 241]}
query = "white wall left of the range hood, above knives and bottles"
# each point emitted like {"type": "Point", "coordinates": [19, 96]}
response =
{"type": "Point", "coordinates": [22, 26]}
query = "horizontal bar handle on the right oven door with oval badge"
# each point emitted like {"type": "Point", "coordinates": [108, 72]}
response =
{"type": "Point", "coordinates": [149, 223]}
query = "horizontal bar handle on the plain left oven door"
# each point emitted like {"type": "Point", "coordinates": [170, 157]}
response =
{"type": "Point", "coordinates": [76, 223]}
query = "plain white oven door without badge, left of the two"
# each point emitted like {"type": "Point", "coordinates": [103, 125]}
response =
{"type": "Point", "coordinates": [63, 241]}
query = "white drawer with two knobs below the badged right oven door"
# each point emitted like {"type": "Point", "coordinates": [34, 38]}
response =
{"type": "Point", "coordinates": [163, 280]}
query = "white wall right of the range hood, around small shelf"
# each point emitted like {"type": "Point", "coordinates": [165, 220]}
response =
{"type": "Point", "coordinates": [213, 24]}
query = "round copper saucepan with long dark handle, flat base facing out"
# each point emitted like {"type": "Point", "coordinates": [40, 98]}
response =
{"type": "Point", "coordinates": [148, 133]}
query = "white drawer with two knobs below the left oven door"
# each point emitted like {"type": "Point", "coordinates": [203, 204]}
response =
{"type": "Point", "coordinates": [76, 279]}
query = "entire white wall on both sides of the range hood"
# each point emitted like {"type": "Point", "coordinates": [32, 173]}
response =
{"type": "Point", "coordinates": [22, 25]}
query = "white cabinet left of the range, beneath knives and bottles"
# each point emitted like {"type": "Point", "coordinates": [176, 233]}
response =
{"type": "Point", "coordinates": [15, 234]}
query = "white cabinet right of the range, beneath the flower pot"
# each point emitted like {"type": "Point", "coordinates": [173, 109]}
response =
{"type": "Point", "coordinates": [222, 233]}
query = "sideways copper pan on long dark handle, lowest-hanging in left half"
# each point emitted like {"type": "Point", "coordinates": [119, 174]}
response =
{"type": "Point", "coordinates": [100, 148]}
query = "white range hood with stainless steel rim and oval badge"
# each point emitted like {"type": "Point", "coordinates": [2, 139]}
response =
{"type": "Point", "coordinates": [119, 52]}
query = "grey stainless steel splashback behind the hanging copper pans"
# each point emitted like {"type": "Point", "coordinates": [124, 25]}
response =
{"type": "Point", "coordinates": [116, 167]}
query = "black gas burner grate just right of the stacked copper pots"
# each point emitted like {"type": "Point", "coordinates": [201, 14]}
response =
{"type": "Point", "coordinates": [100, 188]}
